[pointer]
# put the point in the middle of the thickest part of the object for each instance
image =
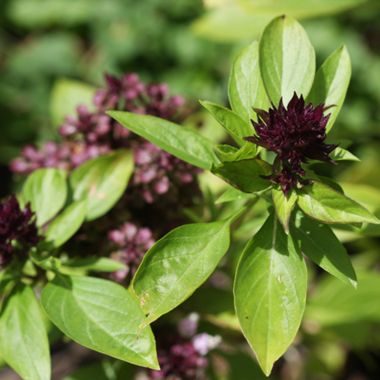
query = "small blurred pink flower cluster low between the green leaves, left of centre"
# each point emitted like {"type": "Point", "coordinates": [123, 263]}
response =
{"type": "Point", "coordinates": [130, 243]}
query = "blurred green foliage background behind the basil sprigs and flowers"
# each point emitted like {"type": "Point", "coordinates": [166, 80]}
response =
{"type": "Point", "coordinates": [190, 45]}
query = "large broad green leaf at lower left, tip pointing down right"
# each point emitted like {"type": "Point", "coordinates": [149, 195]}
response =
{"type": "Point", "coordinates": [102, 316]}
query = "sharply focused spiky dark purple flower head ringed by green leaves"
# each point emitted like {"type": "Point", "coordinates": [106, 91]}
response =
{"type": "Point", "coordinates": [296, 133]}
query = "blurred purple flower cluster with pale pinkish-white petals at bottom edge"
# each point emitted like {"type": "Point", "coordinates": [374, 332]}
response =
{"type": "Point", "coordinates": [183, 357]}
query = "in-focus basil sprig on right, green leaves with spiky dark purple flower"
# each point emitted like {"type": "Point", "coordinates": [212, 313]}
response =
{"type": "Point", "coordinates": [282, 109]}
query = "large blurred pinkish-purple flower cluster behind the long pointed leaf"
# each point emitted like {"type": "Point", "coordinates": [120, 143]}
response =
{"type": "Point", "coordinates": [92, 133]}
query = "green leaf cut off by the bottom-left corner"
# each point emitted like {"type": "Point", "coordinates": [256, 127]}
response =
{"type": "Point", "coordinates": [23, 338]}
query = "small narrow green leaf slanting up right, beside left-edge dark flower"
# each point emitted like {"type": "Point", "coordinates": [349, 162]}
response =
{"type": "Point", "coordinates": [65, 225]}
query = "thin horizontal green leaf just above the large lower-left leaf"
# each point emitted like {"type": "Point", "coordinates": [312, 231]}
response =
{"type": "Point", "coordinates": [96, 264]}
